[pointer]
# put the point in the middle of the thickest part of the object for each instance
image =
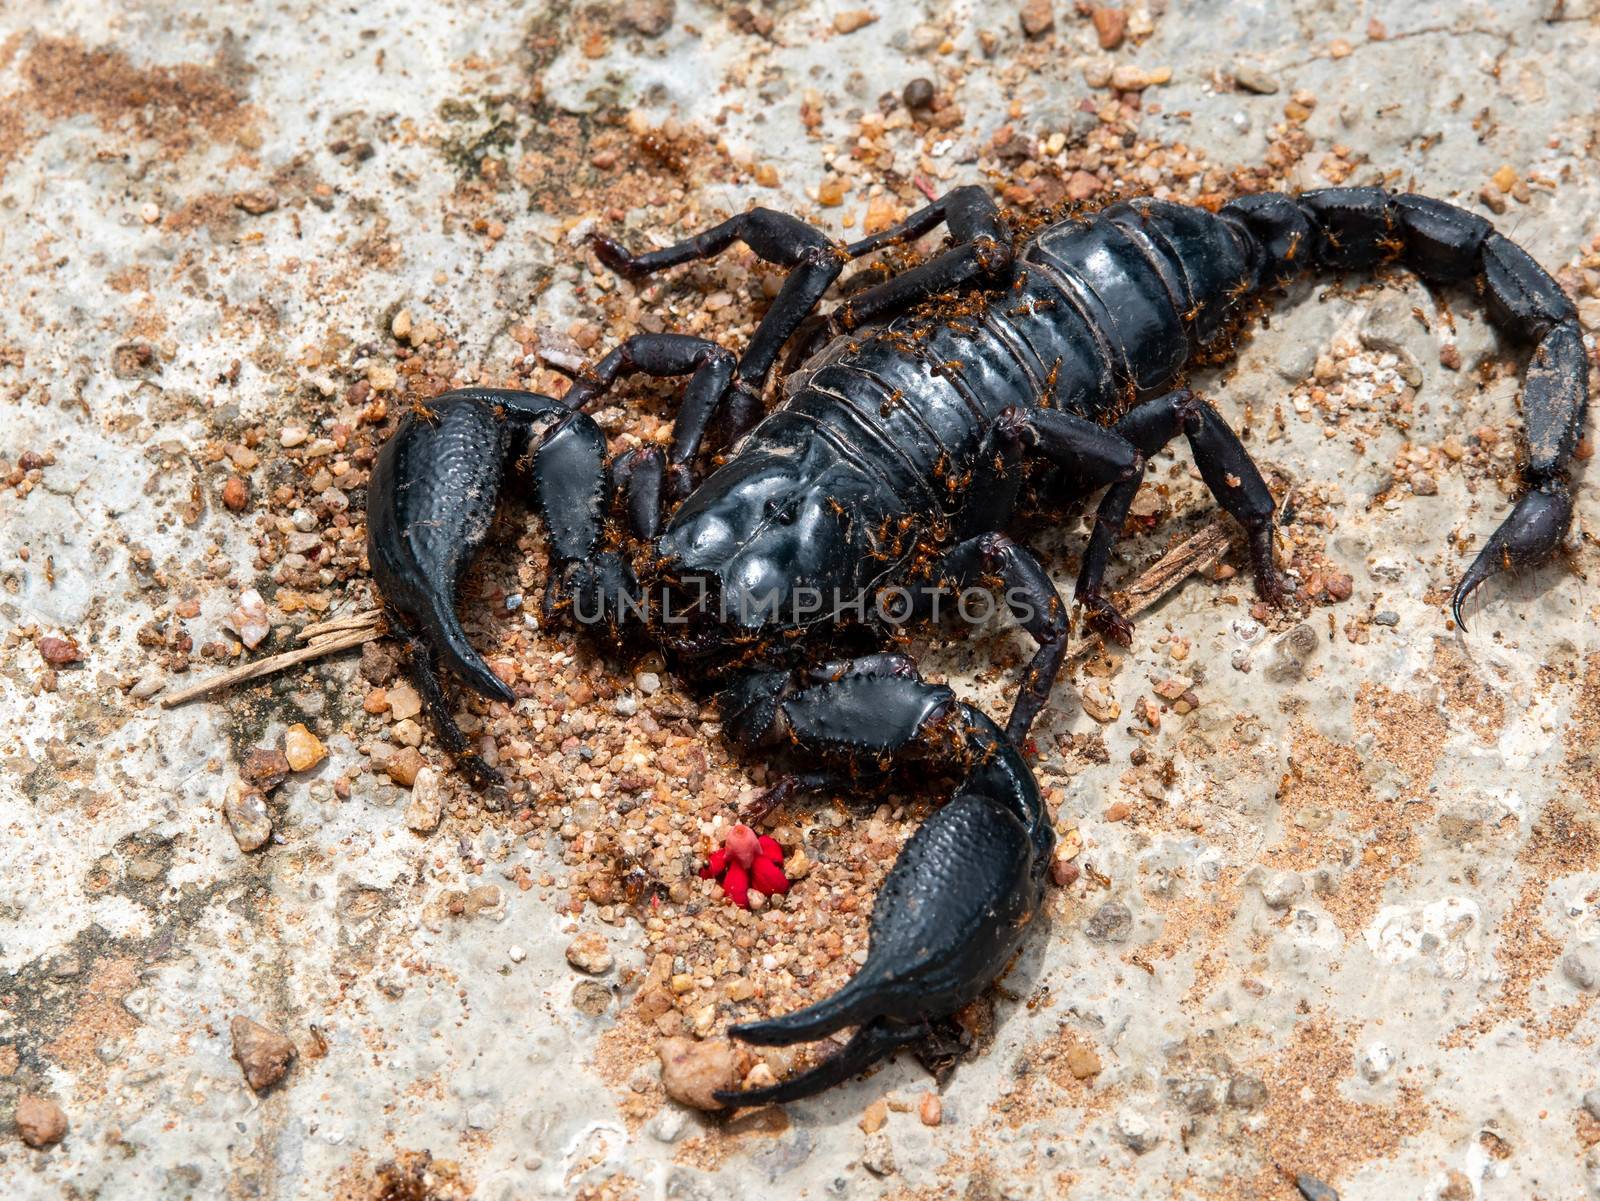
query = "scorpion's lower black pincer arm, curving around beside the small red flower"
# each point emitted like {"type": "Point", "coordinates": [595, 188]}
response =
{"type": "Point", "coordinates": [964, 890]}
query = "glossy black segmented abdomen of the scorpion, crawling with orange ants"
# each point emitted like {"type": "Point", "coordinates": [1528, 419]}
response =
{"type": "Point", "coordinates": [1098, 314]}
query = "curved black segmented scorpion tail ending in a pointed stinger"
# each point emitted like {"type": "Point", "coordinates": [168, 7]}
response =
{"type": "Point", "coordinates": [1361, 228]}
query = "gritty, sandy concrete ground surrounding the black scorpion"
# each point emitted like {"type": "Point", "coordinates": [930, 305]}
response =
{"type": "Point", "coordinates": [1337, 922]}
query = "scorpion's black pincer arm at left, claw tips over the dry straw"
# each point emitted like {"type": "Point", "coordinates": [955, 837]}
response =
{"type": "Point", "coordinates": [430, 509]}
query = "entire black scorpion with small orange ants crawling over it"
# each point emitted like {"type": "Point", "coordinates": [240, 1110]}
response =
{"type": "Point", "coordinates": [895, 461]}
